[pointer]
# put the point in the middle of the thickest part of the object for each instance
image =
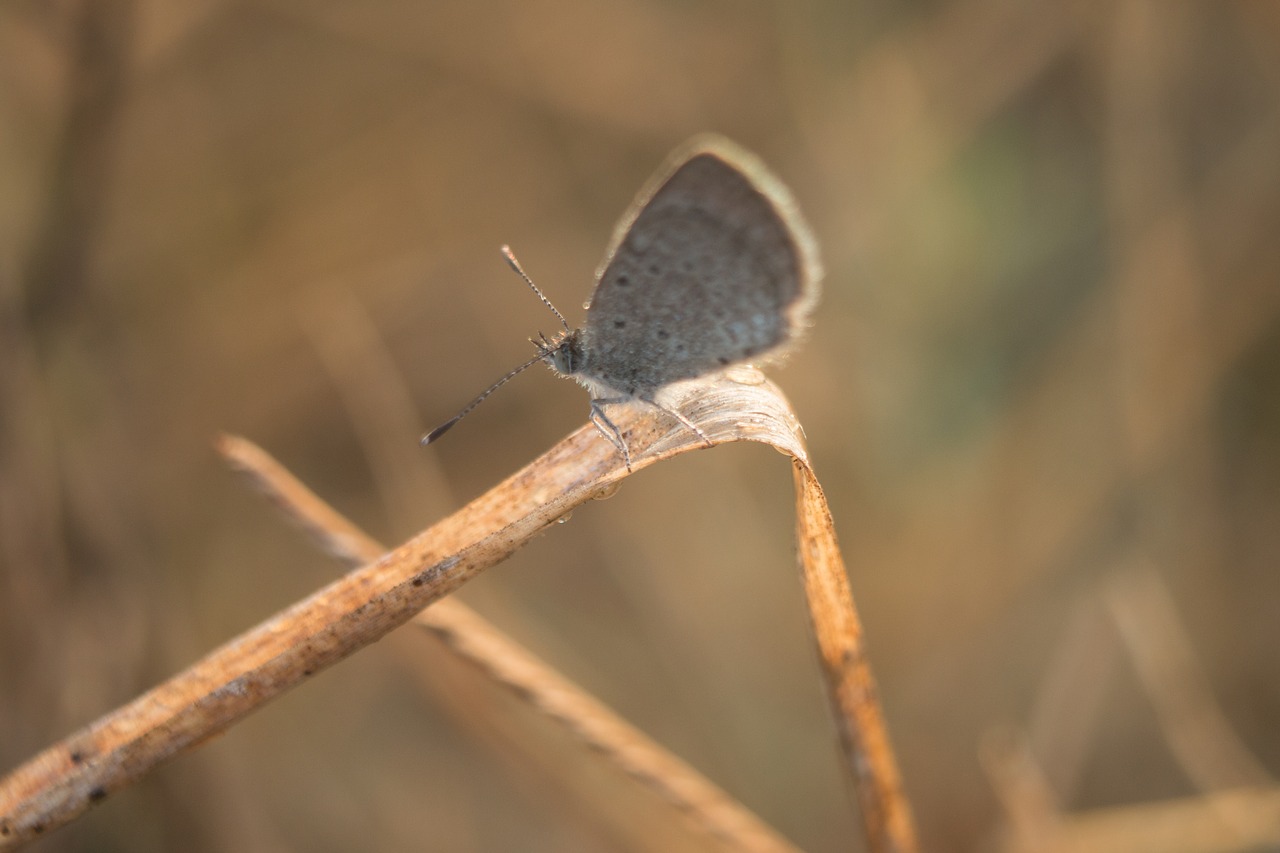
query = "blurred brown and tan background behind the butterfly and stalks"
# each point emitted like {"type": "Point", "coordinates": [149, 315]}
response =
{"type": "Point", "coordinates": [1043, 394]}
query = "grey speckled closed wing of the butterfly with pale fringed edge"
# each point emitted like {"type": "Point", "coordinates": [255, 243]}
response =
{"type": "Point", "coordinates": [712, 266]}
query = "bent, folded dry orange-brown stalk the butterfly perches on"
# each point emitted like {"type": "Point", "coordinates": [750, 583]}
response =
{"type": "Point", "coordinates": [367, 604]}
